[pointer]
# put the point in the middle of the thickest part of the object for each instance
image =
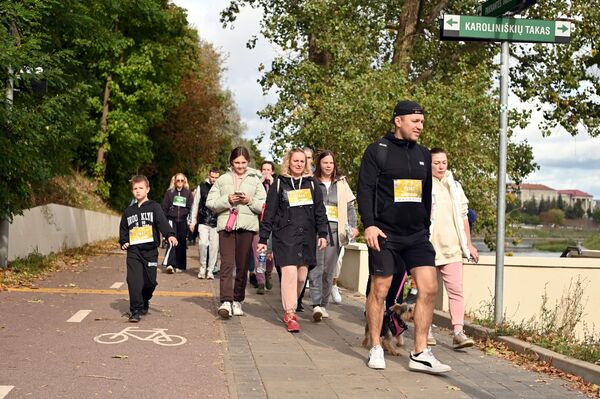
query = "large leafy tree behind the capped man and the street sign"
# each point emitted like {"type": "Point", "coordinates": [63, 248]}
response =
{"type": "Point", "coordinates": [345, 64]}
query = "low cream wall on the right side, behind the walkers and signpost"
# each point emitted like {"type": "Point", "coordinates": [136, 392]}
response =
{"type": "Point", "coordinates": [525, 280]}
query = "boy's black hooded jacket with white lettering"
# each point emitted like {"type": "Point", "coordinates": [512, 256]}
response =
{"type": "Point", "coordinates": [149, 213]}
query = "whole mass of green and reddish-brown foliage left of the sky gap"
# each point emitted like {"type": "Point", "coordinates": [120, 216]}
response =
{"type": "Point", "coordinates": [120, 75]}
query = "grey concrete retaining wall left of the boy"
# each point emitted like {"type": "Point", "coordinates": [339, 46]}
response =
{"type": "Point", "coordinates": [52, 228]}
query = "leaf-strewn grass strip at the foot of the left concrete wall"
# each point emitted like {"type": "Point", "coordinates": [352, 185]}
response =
{"type": "Point", "coordinates": [26, 271]}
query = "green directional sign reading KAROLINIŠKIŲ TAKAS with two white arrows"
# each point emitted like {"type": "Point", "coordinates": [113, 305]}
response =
{"type": "Point", "coordinates": [468, 28]}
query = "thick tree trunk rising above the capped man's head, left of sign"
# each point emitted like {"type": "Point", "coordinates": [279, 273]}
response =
{"type": "Point", "coordinates": [405, 38]}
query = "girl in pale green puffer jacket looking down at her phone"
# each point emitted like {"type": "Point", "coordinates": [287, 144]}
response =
{"type": "Point", "coordinates": [237, 199]}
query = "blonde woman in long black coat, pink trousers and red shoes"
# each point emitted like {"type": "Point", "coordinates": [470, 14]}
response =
{"type": "Point", "coordinates": [296, 216]}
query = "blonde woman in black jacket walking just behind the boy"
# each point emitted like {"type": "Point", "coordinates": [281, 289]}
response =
{"type": "Point", "coordinates": [177, 204]}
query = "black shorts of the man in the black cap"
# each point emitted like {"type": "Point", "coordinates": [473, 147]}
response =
{"type": "Point", "coordinates": [401, 253]}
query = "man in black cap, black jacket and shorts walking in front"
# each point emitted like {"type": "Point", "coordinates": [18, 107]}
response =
{"type": "Point", "coordinates": [394, 202]}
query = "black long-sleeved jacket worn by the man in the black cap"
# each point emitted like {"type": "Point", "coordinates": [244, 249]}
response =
{"type": "Point", "coordinates": [404, 160]}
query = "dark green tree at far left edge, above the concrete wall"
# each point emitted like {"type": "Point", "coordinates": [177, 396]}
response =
{"type": "Point", "coordinates": [37, 131]}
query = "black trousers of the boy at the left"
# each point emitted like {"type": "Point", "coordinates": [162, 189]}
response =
{"type": "Point", "coordinates": [141, 279]}
